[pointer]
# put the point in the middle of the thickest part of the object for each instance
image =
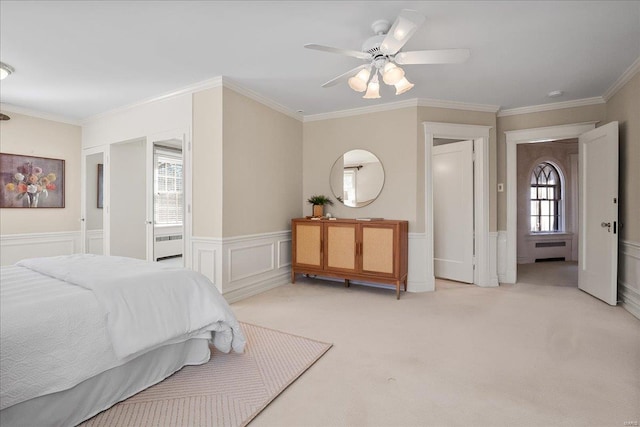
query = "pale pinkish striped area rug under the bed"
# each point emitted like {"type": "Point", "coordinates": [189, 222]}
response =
{"type": "Point", "coordinates": [229, 390]}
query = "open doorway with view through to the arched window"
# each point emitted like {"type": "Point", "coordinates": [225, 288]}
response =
{"type": "Point", "coordinates": [547, 212]}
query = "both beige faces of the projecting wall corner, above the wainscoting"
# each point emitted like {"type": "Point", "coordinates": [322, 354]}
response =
{"type": "Point", "coordinates": [247, 166]}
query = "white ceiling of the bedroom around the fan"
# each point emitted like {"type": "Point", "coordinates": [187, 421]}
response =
{"type": "Point", "coordinates": [80, 58]}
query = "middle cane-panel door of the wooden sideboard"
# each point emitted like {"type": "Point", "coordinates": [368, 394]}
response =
{"type": "Point", "coordinates": [340, 247]}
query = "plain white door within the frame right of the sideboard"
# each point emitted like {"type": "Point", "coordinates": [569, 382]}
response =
{"type": "Point", "coordinates": [453, 211]}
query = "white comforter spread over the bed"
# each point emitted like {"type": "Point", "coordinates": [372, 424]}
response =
{"type": "Point", "coordinates": [90, 313]}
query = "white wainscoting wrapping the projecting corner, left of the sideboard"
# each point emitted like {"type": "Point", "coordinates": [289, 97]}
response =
{"type": "Point", "coordinates": [243, 266]}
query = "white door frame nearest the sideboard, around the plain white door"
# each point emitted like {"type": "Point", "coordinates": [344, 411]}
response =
{"type": "Point", "coordinates": [485, 258]}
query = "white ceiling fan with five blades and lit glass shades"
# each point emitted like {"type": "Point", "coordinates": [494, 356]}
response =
{"type": "Point", "coordinates": [382, 54]}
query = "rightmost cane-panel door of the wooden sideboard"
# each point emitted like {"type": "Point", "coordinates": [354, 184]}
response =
{"type": "Point", "coordinates": [378, 247]}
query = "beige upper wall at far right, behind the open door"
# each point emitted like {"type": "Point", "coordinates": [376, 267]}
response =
{"type": "Point", "coordinates": [624, 107]}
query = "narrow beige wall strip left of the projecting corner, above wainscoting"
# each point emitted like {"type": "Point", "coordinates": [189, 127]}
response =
{"type": "Point", "coordinates": [207, 163]}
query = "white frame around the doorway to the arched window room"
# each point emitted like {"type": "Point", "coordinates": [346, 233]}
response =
{"type": "Point", "coordinates": [527, 136]}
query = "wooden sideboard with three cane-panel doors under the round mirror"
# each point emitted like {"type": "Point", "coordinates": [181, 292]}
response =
{"type": "Point", "coordinates": [370, 251]}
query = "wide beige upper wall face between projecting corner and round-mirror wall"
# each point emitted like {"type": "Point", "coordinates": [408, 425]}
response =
{"type": "Point", "coordinates": [262, 167]}
